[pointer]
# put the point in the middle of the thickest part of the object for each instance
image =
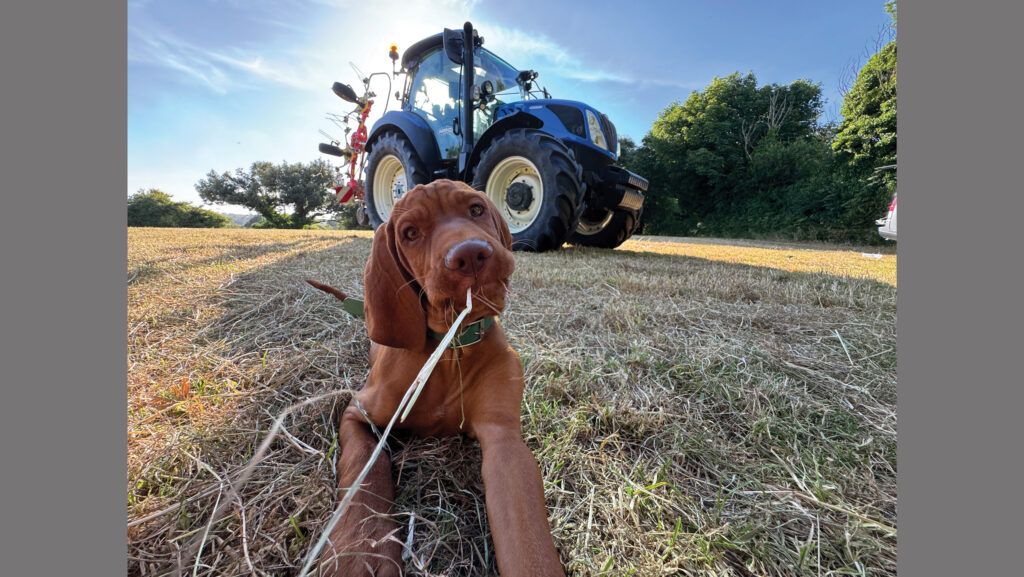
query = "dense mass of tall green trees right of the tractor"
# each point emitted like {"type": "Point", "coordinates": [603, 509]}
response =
{"type": "Point", "coordinates": [743, 160]}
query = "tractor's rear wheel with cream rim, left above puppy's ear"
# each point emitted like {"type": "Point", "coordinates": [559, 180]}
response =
{"type": "Point", "coordinates": [393, 169]}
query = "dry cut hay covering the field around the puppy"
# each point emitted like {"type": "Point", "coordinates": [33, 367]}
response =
{"type": "Point", "coordinates": [690, 417]}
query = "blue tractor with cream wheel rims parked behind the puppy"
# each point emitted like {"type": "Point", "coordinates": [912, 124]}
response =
{"type": "Point", "coordinates": [548, 164]}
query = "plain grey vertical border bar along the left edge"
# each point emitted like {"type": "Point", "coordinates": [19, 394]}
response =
{"type": "Point", "coordinates": [64, 177]}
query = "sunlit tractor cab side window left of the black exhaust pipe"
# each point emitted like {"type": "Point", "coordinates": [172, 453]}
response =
{"type": "Point", "coordinates": [436, 99]}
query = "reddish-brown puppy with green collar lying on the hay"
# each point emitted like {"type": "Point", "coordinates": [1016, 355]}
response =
{"type": "Point", "coordinates": [442, 239]}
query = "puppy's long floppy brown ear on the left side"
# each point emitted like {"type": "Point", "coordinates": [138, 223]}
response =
{"type": "Point", "coordinates": [395, 316]}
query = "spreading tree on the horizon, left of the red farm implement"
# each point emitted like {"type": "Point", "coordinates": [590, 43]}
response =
{"type": "Point", "coordinates": [269, 189]}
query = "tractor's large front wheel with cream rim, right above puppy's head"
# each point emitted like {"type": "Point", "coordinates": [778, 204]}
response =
{"type": "Point", "coordinates": [537, 185]}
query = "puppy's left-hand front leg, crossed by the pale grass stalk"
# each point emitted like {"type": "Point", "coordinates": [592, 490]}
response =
{"type": "Point", "coordinates": [360, 545]}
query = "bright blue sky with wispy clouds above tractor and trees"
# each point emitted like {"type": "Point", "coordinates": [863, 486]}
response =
{"type": "Point", "coordinates": [220, 85]}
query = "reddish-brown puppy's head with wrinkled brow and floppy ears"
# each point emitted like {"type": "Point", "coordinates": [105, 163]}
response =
{"type": "Point", "coordinates": [442, 239]}
